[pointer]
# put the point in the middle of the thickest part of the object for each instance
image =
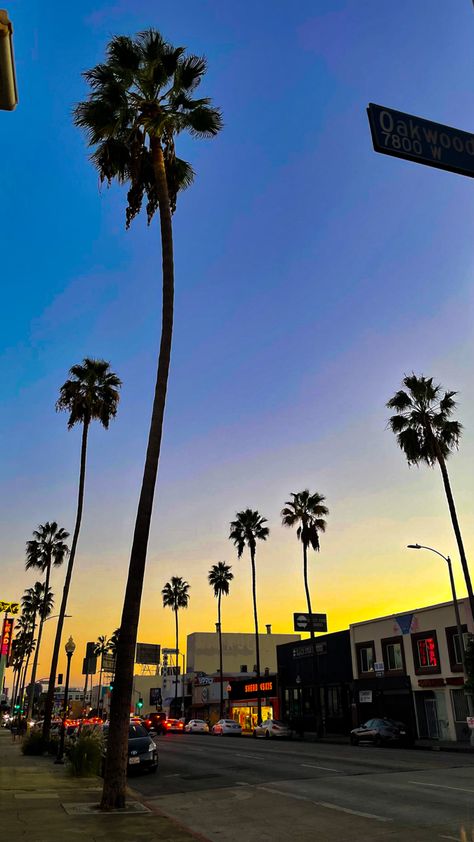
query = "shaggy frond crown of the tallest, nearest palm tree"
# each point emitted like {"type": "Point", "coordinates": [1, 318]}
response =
{"type": "Point", "coordinates": [144, 93]}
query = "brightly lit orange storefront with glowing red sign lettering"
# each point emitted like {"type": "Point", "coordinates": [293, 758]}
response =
{"type": "Point", "coordinates": [243, 696]}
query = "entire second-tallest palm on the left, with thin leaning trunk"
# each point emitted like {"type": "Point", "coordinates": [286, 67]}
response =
{"type": "Point", "coordinates": [90, 394]}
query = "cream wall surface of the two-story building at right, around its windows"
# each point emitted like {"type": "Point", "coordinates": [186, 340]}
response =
{"type": "Point", "coordinates": [437, 701]}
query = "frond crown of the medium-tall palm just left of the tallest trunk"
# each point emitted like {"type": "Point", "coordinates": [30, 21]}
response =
{"type": "Point", "coordinates": [91, 393]}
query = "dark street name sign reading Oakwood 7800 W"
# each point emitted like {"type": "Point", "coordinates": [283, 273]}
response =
{"type": "Point", "coordinates": [416, 139]}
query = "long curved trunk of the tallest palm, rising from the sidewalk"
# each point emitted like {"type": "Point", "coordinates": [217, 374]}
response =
{"type": "Point", "coordinates": [116, 766]}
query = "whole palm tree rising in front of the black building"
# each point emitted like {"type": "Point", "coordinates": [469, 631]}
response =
{"type": "Point", "coordinates": [307, 511]}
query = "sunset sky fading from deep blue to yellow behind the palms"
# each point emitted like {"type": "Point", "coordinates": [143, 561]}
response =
{"type": "Point", "coordinates": [311, 274]}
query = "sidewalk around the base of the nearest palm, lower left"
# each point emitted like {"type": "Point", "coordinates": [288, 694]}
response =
{"type": "Point", "coordinates": [41, 802]}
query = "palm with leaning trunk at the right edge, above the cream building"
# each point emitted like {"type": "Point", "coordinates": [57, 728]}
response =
{"type": "Point", "coordinates": [426, 433]}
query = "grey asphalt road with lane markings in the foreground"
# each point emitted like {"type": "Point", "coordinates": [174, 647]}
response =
{"type": "Point", "coordinates": [240, 788]}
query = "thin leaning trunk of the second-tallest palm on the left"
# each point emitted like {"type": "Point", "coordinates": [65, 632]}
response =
{"type": "Point", "coordinates": [48, 710]}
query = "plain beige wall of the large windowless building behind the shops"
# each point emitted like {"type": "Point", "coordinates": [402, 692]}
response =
{"type": "Point", "coordinates": [238, 650]}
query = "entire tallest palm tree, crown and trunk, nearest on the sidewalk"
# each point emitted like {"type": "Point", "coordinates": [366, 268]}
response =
{"type": "Point", "coordinates": [141, 97]}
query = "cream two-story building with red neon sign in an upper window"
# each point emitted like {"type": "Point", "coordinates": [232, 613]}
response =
{"type": "Point", "coordinates": [409, 667]}
